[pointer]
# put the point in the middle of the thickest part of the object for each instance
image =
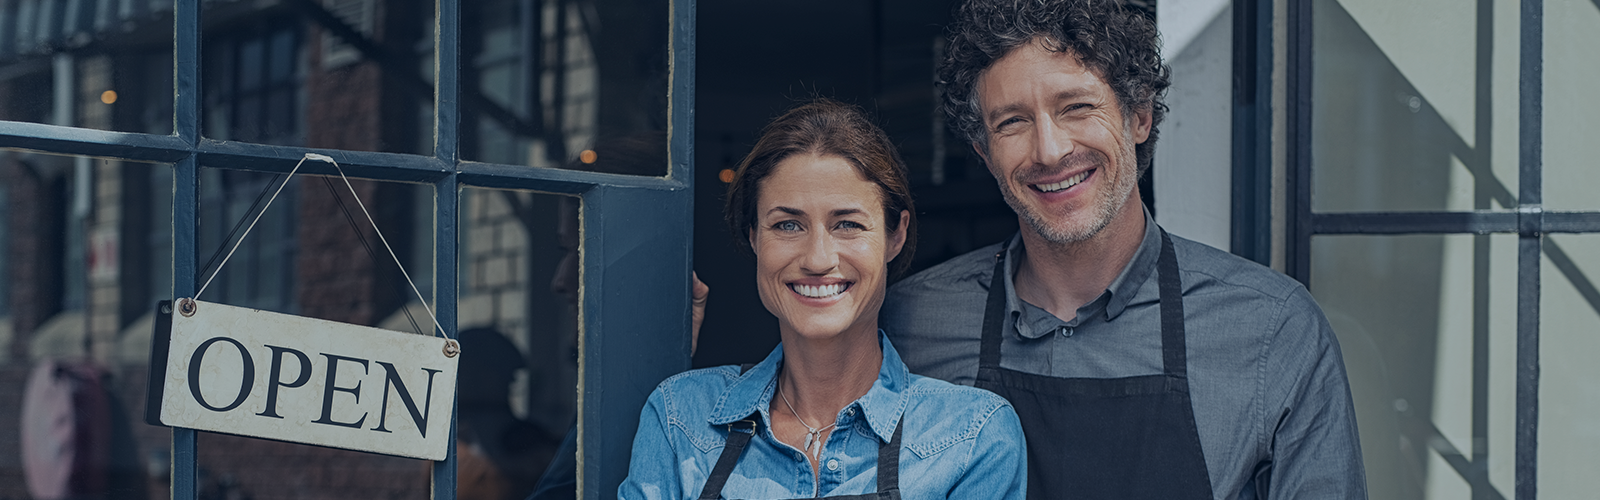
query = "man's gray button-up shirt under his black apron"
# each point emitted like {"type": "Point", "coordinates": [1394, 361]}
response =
{"type": "Point", "coordinates": [1266, 376]}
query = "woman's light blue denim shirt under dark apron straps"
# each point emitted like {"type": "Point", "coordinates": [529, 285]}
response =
{"type": "Point", "coordinates": [958, 442]}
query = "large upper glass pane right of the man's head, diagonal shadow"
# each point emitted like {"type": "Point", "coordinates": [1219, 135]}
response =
{"type": "Point", "coordinates": [1414, 107]}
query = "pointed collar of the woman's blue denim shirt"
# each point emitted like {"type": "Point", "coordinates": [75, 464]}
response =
{"type": "Point", "coordinates": [884, 405]}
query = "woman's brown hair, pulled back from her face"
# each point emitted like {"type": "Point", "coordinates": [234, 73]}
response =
{"type": "Point", "coordinates": [825, 127]}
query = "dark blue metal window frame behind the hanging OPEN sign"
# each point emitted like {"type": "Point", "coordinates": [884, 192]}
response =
{"type": "Point", "coordinates": [634, 325]}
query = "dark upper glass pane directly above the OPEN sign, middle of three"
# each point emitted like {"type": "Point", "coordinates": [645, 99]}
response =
{"type": "Point", "coordinates": [338, 75]}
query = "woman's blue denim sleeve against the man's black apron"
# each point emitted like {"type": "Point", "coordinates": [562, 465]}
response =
{"type": "Point", "coordinates": [999, 464]}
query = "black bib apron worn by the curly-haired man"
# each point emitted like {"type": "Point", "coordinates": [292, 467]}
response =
{"type": "Point", "coordinates": [1105, 438]}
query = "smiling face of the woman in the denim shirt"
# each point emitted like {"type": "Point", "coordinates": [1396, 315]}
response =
{"type": "Point", "coordinates": [823, 248]}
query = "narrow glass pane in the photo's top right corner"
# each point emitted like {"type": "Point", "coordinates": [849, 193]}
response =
{"type": "Point", "coordinates": [1572, 113]}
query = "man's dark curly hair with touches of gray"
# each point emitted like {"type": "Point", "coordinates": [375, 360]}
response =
{"type": "Point", "coordinates": [1114, 41]}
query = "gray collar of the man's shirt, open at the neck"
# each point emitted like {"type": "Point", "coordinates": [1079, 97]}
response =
{"type": "Point", "coordinates": [1113, 302]}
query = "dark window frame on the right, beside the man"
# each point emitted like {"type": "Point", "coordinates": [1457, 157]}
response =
{"type": "Point", "coordinates": [1526, 217]}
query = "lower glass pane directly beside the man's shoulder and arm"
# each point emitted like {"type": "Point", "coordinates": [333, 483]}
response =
{"type": "Point", "coordinates": [1428, 326]}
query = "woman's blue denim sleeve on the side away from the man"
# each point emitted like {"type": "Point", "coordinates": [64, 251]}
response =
{"type": "Point", "coordinates": [652, 472]}
